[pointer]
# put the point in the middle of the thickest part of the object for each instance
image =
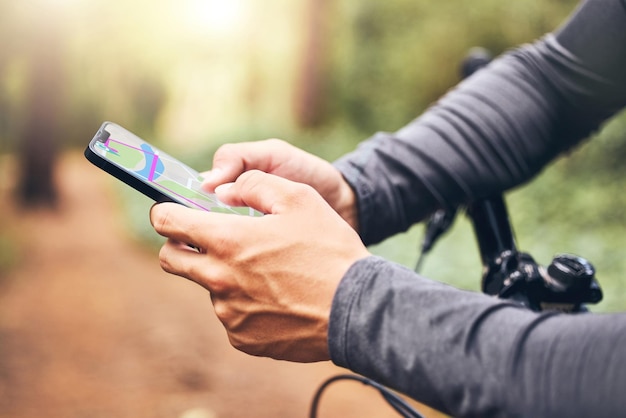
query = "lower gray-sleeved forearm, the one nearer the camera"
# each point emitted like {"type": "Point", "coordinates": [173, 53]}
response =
{"type": "Point", "coordinates": [471, 355]}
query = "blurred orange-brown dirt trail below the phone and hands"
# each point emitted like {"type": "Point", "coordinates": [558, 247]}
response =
{"type": "Point", "coordinates": [91, 327]}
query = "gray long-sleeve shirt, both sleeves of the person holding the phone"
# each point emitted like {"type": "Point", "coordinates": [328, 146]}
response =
{"type": "Point", "coordinates": [461, 352]}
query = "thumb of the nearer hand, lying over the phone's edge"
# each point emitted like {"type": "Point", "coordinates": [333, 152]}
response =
{"type": "Point", "coordinates": [264, 192]}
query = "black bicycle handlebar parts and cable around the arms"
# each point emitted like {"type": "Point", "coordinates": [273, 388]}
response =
{"type": "Point", "coordinates": [567, 284]}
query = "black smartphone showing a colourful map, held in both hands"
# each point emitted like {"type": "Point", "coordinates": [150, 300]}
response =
{"type": "Point", "coordinates": [152, 172]}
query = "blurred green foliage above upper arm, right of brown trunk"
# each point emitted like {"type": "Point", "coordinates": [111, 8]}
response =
{"type": "Point", "coordinates": [394, 58]}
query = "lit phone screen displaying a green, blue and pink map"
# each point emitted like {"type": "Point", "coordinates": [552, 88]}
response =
{"type": "Point", "coordinates": [166, 173]}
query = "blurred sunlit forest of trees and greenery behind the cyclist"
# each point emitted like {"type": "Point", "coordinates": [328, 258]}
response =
{"type": "Point", "coordinates": [190, 75]}
